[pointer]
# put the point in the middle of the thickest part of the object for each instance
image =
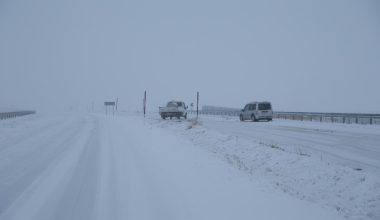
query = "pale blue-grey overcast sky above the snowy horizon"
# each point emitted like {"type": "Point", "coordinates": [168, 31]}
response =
{"type": "Point", "coordinates": [300, 55]}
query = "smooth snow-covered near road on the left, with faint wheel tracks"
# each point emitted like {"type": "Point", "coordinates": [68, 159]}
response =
{"type": "Point", "coordinates": [98, 167]}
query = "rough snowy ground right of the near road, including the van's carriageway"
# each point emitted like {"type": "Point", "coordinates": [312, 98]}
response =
{"type": "Point", "coordinates": [334, 165]}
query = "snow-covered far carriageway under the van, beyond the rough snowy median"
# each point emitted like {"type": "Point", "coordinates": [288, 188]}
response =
{"type": "Point", "coordinates": [353, 145]}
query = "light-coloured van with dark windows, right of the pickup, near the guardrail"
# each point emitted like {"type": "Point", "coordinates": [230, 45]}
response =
{"type": "Point", "coordinates": [256, 111]}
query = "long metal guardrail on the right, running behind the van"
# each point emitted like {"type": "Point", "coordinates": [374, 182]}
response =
{"type": "Point", "coordinates": [346, 118]}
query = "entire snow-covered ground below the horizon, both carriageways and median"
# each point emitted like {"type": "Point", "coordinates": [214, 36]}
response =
{"type": "Point", "coordinates": [92, 166]}
